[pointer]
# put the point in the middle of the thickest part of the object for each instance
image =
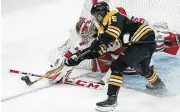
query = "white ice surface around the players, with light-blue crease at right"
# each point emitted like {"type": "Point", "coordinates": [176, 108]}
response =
{"type": "Point", "coordinates": [29, 30]}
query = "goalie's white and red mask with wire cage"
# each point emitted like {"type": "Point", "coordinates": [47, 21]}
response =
{"type": "Point", "coordinates": [85, 29]}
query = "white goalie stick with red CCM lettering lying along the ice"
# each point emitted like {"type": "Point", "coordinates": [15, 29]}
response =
{"type": "Point", "coordinates": [65, 80]}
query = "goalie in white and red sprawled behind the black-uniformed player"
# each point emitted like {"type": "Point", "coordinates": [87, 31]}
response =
{"type": "Point", "coordinates": [85, 32]}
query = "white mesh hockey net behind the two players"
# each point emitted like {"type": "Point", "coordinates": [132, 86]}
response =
{"type": "Point", "coordinates": [165, 11]}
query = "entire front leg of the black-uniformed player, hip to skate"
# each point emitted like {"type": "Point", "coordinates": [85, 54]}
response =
{"type": "Point", "coordinates": [130, 58]}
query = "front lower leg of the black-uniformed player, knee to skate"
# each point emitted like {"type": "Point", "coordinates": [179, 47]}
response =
{"type": "Point", "coordinates": [114, 85]}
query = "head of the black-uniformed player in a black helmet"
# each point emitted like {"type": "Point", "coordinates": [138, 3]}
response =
{"type": "Point", "coordinates": [99, 10]}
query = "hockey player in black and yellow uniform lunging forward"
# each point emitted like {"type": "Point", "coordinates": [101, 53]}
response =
{"type": "Point", "coordinates": [141, 46]}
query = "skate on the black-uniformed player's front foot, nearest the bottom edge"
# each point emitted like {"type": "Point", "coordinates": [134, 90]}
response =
{"type": "Point", "coordinates": [109, 105]}
